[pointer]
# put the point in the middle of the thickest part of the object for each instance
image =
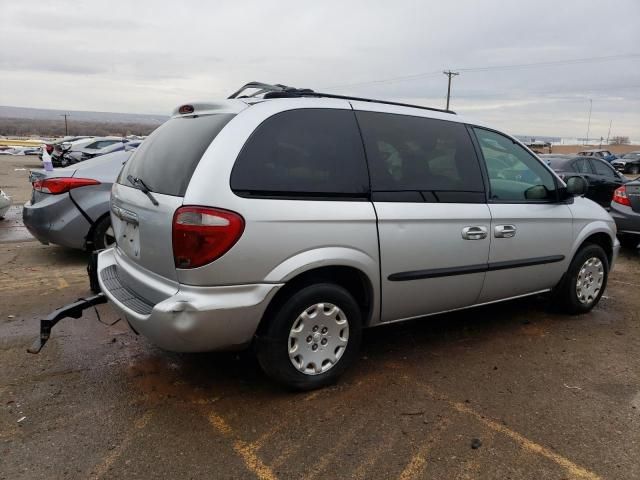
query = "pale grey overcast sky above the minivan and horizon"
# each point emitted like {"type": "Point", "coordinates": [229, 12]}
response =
{"type": "Point", "coordinates": [149, 56]}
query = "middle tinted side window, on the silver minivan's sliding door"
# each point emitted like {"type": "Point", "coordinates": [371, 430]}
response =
{"type": "Point", "coordinates": [408, 154]}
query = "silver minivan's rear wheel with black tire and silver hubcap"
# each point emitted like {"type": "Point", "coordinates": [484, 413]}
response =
{"type": "Point", "coordinates": [311, 338]}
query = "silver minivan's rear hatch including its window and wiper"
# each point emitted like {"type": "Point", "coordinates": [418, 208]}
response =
{"type": "Point", "coordinates": [142, 222]}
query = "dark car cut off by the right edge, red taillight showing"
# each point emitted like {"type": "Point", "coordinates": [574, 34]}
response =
{"type": "Point", "coordinates": [625, 210]}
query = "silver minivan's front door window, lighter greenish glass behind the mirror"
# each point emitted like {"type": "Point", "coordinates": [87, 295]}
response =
{"type": "Point", "coordinates": [515, 175]}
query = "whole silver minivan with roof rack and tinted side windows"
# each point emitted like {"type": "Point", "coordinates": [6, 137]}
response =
{"type": "Point", "coordinates": [290, 220]}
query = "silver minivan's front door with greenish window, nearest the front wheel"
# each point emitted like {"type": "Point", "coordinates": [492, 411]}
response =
{"type": "Point", "coordinates": [531, 231]}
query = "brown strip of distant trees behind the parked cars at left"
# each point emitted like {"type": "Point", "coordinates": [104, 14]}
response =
{"type": "Point", "coordinates": [23, 127]}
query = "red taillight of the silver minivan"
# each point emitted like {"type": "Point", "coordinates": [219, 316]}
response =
{"type": "Point", "coordinates": [202, 234]}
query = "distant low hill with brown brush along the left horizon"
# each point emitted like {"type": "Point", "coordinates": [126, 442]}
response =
{"type": "Point", "coordinates": [25, 122]}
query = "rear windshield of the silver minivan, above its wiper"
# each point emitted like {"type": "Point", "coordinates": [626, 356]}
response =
{"type": "Point", "coordinates": [166, 160]}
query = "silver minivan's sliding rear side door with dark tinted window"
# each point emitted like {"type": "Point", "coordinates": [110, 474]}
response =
{"type": "Point", "coordinates": [433, 220]}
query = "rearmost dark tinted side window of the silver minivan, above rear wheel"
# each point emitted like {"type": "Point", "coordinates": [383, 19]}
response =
{"type": "Point", "coordinates": [303, 153]}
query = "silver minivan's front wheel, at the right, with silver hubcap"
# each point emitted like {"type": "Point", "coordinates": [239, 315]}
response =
{"type": "Point", "coordinates": [585, 281]}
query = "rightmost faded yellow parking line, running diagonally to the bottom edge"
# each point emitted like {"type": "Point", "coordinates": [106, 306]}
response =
{"type": "Point", "coordinates": [574, 470]}
